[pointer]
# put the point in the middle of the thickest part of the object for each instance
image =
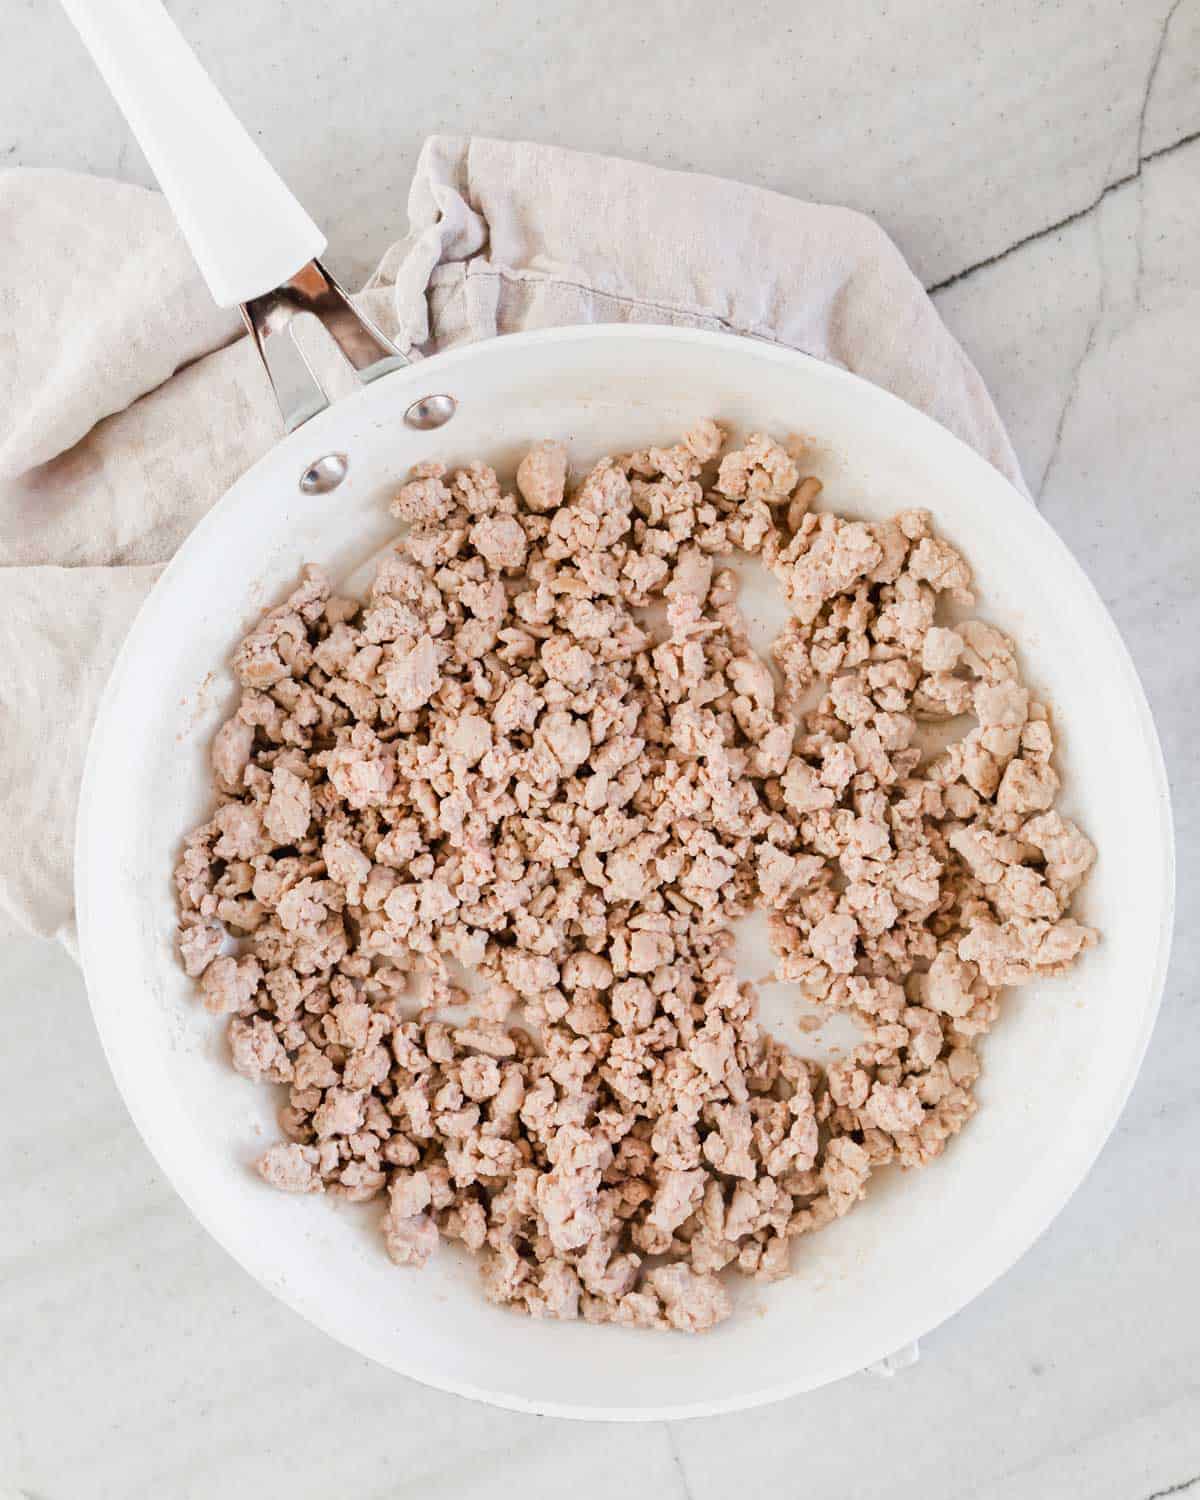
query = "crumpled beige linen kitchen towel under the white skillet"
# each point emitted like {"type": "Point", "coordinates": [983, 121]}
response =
{"type": "Point", "coordinates": [130, 404]}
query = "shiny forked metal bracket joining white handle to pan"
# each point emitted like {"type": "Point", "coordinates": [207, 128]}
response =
{"type": "Point", "coordinates": [271, 320]}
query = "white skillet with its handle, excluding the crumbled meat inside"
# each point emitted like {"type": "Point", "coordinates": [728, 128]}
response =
{"type": "Point", "coordinates": [1058, 1067]}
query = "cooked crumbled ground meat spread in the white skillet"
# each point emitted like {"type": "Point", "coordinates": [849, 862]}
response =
{"type": "Point", "coordinates": [500, 767]}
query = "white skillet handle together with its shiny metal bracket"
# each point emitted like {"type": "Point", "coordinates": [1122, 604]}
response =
{"type": "Point", "coordinates": [253, 242]}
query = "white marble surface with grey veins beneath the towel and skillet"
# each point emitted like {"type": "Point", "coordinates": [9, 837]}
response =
{"type": "Point", "coordinates": [1055, 143]}
